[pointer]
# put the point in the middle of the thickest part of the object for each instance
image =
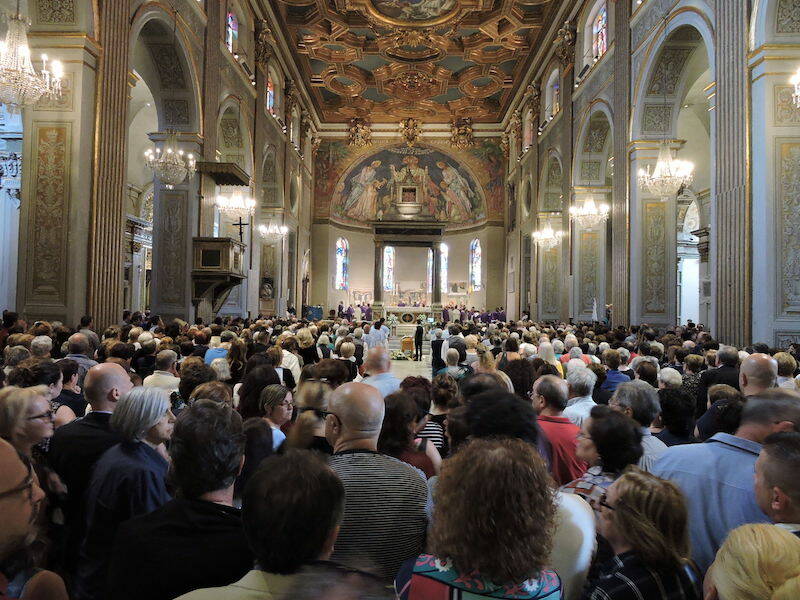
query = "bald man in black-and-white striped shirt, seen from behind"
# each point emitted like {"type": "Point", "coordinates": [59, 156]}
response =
{"type": "Point", "coordinates": [384, 520]}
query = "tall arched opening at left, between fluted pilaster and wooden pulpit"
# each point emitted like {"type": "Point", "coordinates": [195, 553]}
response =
{"type": "Point", "coordinates": [164, 78]}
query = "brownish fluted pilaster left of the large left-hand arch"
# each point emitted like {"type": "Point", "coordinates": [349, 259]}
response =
{"type": "Point", "coordinates": [107, 221]}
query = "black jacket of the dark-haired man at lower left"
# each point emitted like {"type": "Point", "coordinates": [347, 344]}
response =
{"type": "Point", "coordinates": [182, 546]}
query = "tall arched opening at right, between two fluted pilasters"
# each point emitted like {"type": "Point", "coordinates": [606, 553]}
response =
{"type": "Point", "coordinates": [675, 102]}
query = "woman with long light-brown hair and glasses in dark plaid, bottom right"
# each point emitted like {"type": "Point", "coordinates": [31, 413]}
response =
{"type": "Point", "coordinates": [645, 521]}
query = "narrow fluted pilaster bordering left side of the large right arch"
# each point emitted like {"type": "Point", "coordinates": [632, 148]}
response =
{"type": "Point", "coordinates": [620, 243]}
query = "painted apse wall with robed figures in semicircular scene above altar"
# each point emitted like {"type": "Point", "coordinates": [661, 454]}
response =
{"type": "Point", "coordinates": [401, 183]}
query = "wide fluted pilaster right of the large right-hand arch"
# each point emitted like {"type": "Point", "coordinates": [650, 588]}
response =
{"type": "Point", "coordinates": [731, 220]}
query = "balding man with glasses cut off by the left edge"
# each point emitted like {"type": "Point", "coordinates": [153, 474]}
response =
{"type": "Point", "coordinates": [20, 498]}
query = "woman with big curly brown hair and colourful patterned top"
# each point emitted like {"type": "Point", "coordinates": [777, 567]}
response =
{"type": "Point", "coordinates": [501, 553]}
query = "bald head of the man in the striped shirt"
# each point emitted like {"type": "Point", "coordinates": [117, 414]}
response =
{"type": "Point", "coordinates": [359, 408]}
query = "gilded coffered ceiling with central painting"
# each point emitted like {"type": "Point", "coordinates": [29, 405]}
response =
{"type": "Point", "coordinates": [434, 60]}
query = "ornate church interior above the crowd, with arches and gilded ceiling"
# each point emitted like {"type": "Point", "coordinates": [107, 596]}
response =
{"type": "Point", "coordinates": [629, 161]}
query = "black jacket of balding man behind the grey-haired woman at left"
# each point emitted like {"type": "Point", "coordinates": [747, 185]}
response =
{"type": "Point", "coordinates": [74, 450]}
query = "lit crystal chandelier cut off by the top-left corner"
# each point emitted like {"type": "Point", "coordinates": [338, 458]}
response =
{"type": "Point", "coordinates": [20, 84]}
